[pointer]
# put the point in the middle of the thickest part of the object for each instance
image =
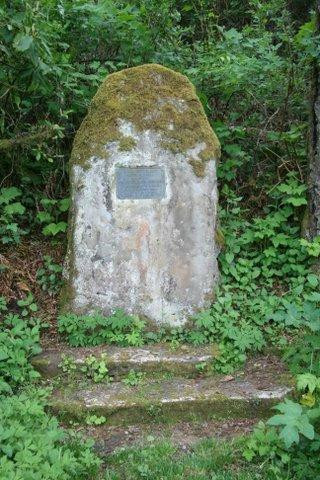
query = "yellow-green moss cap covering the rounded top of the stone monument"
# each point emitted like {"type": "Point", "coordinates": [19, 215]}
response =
{"type": "Point", "coordinates": [150, 97]}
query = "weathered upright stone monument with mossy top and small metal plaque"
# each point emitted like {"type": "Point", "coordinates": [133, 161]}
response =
{"type": "Point", "coordinates": [143, 244]}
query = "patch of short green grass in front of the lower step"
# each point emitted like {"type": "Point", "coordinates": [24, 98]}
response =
{"type": "Point", "coordinates": [209, 460]}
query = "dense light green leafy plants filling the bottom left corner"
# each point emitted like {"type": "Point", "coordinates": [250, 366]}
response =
{"type": "Point", "coordinates": [33, 446]}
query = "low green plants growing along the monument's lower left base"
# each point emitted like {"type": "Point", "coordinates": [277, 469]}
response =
{"type": "Point", "coordinates": [90, 330]}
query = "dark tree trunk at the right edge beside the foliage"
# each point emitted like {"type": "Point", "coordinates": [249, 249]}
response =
{"type": "Point", "coordinates": [314, 176]}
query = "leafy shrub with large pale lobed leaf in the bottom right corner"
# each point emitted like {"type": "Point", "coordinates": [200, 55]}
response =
{"type": "Point", "coordinates": [289, 443]}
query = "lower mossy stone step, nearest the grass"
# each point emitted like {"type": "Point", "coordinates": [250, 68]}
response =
{"type": "Point", "coordinates": [215, 397]}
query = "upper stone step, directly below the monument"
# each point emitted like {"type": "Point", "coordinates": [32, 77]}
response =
{"type": "Point", "coordinates": [151, 359]}
